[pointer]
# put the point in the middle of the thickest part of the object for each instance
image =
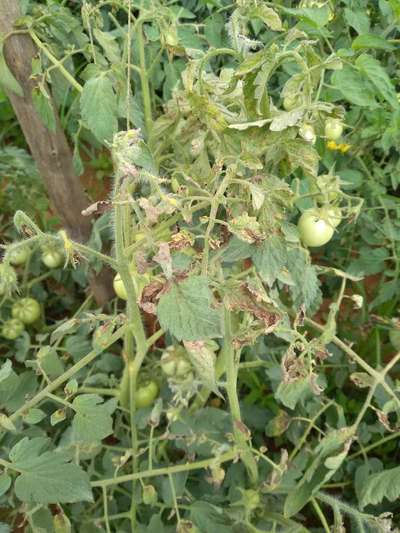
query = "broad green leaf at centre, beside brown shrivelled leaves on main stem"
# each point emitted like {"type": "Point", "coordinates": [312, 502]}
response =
{"type": "Point", "coordinates": [186, 311]}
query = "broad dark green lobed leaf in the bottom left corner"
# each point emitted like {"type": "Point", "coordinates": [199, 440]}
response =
{"type": "Point", "coordinates": [47, 476]}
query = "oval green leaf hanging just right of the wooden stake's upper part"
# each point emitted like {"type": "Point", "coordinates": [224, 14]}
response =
{"type": "Point", "coordinates": [99, 107]}
